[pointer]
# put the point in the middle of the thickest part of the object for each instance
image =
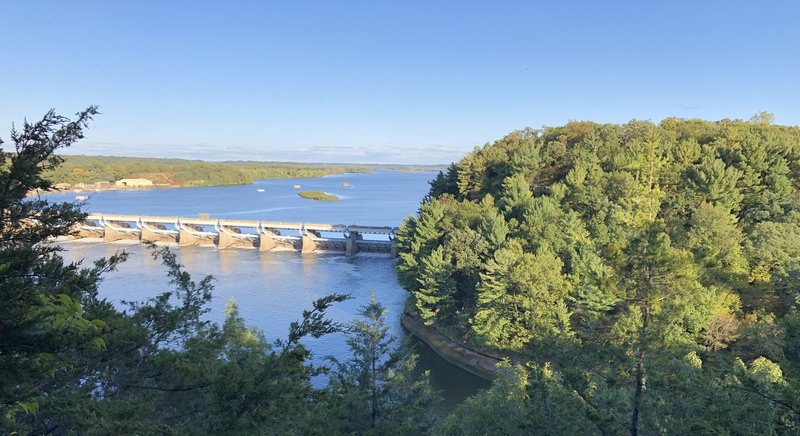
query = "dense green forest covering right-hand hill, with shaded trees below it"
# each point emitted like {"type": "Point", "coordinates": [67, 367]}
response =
{"type": "Point", "coordinates": [639, 277]}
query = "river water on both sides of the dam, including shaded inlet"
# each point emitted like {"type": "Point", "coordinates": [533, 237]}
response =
{"type": "Point", "coordinates": [272, 289]}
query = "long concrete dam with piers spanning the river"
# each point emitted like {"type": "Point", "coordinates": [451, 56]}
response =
{"type": "Point", "coordinates": [225, 233]}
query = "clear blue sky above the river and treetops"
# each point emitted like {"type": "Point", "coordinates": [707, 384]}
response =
{"type": "Point", "coordinates": [385, 81]}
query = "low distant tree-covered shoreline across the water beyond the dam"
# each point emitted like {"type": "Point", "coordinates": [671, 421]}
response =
{"type": "Point", "coordinates": [181, 172]}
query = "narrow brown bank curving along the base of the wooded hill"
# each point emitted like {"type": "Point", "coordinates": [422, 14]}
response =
{"type": "Point", "coordinates": [476, 363]}
